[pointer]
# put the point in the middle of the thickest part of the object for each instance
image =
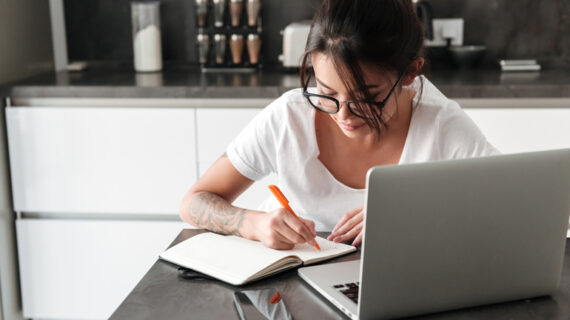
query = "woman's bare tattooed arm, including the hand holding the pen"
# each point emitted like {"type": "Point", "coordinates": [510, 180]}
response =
{"type": "Point", "coordinates": [208, 205]}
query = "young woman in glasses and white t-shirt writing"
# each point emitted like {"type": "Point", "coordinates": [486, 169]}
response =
{"type": "Point", "coordinates": [370, 107]}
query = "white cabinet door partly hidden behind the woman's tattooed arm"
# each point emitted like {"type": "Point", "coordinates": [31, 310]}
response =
{"type": "Point", "coordinates": [216, 128]}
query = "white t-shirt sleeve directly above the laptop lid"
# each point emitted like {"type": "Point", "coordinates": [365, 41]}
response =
{"type": "Point", "coordinates": [461, 138]}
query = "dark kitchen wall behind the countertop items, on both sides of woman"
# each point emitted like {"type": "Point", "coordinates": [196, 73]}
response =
{"type": "Point", "coordinates": [100, 29]}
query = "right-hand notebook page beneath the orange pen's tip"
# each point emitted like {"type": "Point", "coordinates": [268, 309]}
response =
{"type": "Point", "coordinates": [309, 254]}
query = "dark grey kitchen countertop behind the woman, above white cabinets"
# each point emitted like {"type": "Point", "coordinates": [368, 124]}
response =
{"type": "Point", "coordinates": [190, 82]}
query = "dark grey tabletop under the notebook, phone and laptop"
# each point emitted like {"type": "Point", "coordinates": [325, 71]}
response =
{"type": "Point", "coordinates": [161, 294]}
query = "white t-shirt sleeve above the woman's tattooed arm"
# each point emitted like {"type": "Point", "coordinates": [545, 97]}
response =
{"type": "Point", "coordinates": [253, 150]}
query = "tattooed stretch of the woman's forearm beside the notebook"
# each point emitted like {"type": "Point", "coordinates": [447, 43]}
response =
{"type": "Point", "coordinates": [214, 213]}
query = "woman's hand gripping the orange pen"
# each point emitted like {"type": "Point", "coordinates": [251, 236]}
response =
{"type": "Point", "coordinates": [279, 229]}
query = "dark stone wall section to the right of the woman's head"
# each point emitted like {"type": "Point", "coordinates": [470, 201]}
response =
{"type": "Point", "coordinates": [518, 29]}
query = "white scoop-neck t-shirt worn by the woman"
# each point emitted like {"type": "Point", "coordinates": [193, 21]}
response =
{"type": "Point", "coordinates": [281, 140]}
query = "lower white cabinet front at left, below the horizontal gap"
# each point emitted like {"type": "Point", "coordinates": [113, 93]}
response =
{"type": "Point", "coordinates": [83, 269]}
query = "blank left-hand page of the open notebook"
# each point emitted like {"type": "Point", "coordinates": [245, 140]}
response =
{"type": "Point", "coordinates": [230, 258]}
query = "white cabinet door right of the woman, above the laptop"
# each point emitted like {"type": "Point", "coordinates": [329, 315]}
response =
{"type": "Point", "coordinates": [520, 130]}
